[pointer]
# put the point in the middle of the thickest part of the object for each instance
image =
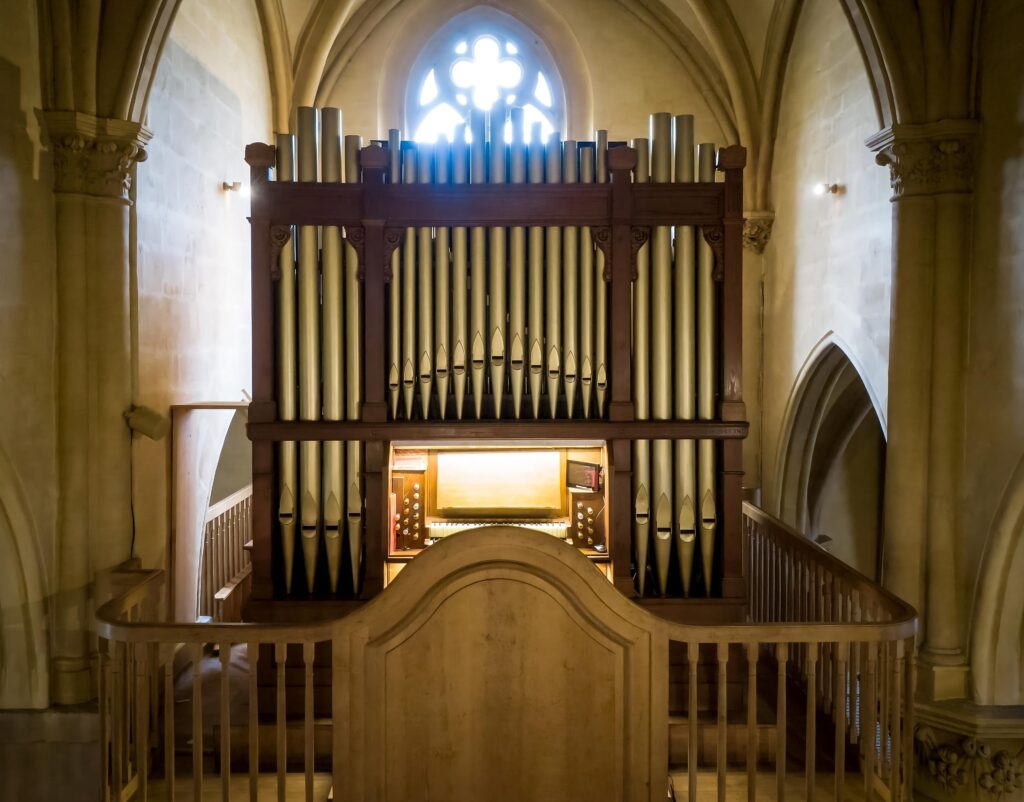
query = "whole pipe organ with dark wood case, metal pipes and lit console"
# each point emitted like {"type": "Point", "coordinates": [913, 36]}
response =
{"type": "Point", "coordinates": [450, 335]}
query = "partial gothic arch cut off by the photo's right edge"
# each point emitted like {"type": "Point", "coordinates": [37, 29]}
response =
{"type": "Point", "coordinates": [998, 629]}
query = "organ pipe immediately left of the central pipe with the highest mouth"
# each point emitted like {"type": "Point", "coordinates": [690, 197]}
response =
{"type": "Point", "coordinates": [478, 267]}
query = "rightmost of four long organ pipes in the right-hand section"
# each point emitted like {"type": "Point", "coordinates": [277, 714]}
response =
{"type": "Point", "coordinates": [706, 379]}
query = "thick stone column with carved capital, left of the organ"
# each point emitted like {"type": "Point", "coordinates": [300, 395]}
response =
{"type": "Point", "coordinates": [93, 167]}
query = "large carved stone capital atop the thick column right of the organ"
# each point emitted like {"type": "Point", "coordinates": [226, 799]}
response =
{"type": "Point", "coordinates": [931, 159]}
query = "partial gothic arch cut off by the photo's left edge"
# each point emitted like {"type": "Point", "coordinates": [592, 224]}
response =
{"type": "Point", "coordinates": [25, 659]}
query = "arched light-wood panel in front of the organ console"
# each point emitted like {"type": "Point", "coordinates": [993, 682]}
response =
{"type": "Point", "coordinates": [501, 665]}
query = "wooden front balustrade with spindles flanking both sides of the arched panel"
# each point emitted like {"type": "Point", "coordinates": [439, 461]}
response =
{"type": "Point", "coordinates": [832, 646]}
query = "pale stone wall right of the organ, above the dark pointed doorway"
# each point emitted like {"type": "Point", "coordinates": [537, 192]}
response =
{"type": "Point", "coordinates": [827, 269]}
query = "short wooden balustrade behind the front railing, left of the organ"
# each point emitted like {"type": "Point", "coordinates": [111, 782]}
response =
{"type": "Point", "coordinates": [225, 565]}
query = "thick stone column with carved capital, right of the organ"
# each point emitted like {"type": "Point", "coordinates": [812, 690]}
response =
{"type": "Point", "coordinates": [931, 168]}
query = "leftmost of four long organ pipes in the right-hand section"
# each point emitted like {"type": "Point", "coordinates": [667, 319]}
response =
{"type": "Point", "coordinates": [642, 385]}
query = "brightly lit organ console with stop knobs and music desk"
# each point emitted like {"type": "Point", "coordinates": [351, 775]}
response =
{"type": "Point", "coordinates": [444, 489]}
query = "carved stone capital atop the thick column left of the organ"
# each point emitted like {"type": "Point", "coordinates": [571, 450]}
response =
{"type": "Point", "coordinates": [93, 155]}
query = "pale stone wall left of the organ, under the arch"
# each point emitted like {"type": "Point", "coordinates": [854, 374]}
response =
{"type": "Point", "coordinates": [210, 99]}
